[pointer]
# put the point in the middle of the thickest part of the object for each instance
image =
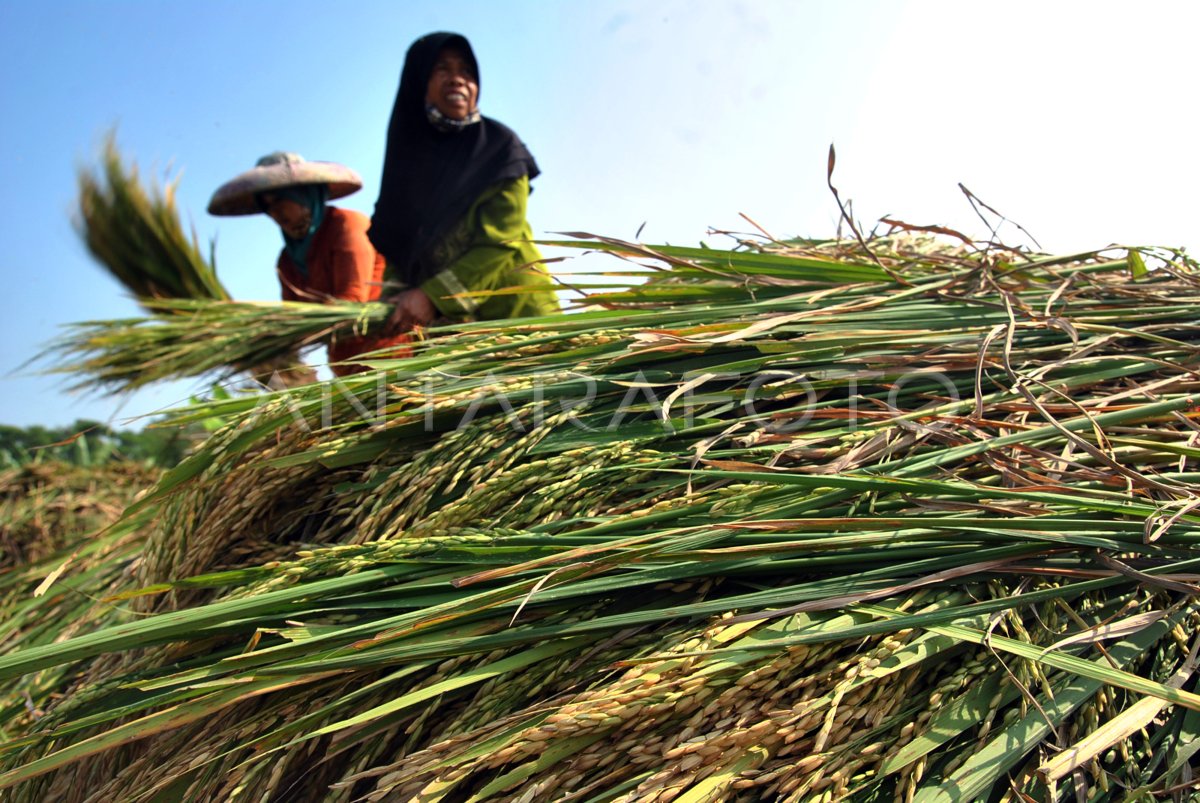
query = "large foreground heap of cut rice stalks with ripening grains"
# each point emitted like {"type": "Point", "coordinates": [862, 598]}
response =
{"type": "Point", "coordinates": [787, 524]}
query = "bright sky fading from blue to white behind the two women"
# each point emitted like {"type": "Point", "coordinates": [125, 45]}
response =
{"type": "Point", "coordinates": [1072, 118]}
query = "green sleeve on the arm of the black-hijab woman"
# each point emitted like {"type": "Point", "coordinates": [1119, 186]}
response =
{"type": "Point", "coordinates": [499, 245]}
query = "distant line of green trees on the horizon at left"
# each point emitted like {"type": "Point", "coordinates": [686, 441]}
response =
{"type": "Point", "coordinates": [93, 444]}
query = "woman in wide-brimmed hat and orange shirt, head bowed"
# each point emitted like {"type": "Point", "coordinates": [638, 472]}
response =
{"type": "Point", "coordinates": [327, 254]}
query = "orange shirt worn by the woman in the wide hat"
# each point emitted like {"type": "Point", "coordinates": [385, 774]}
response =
{"type": "Point", "coordinates": [343, 265]}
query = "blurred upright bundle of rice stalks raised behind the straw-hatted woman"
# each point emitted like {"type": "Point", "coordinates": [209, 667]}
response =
{"type": "Point", "coordinates": [137, 237]}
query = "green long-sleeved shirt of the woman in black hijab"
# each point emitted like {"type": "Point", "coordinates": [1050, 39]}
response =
{"type": "Point", "coordinates": [491, 249]}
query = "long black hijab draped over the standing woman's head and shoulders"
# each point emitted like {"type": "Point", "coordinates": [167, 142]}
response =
{"type": "Point", "coordinates": [431, 178]}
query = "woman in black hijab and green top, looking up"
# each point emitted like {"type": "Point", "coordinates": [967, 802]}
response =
{"type": "Point", "coordinates": [451, 219]}
